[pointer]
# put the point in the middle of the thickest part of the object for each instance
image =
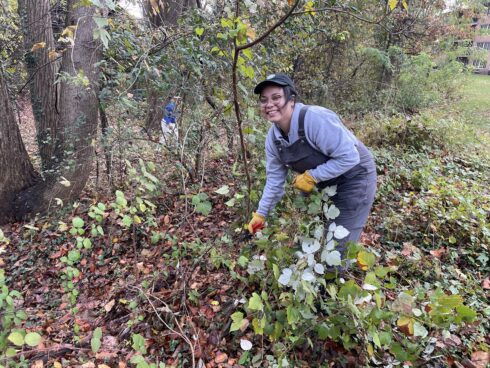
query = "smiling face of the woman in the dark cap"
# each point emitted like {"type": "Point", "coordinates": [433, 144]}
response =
{"type": "Point", "coordinates": [275, 108]}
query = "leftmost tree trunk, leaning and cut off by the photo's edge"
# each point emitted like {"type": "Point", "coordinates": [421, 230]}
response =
{"type": "Point", "coordinates": [17, 172]}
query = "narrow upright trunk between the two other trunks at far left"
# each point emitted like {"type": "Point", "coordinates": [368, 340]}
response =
{"type": "Point", "coordinates": [38, 32]}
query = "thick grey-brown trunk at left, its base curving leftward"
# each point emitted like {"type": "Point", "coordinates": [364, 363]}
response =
{"type": "Point", "coordinates": [77, 124]}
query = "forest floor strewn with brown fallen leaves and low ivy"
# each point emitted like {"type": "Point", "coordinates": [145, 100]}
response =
{"type": "Point", "coordinates": [166, 291]}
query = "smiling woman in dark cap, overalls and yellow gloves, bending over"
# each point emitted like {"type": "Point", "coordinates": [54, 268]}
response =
{"type": "Point", "coordinates": [312, 141]}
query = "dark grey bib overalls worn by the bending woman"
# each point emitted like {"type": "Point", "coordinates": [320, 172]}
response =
{"type": "Point", "coordinates": [356, 188]}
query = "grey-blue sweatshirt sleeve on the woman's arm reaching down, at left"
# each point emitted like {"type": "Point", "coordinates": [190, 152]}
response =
{"type": "Point", "coordinates": [276, 177]}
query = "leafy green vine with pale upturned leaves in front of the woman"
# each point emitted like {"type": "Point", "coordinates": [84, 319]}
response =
{"type": "Point", "coordinates": [308, 293]}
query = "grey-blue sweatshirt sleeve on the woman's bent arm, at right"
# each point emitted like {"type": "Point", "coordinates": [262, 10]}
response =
{"type": "Point", "coordinates": [325, 132]}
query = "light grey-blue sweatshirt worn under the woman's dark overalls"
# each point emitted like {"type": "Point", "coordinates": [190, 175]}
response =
{"type": "Point", "coordinates": [325, 133]}
